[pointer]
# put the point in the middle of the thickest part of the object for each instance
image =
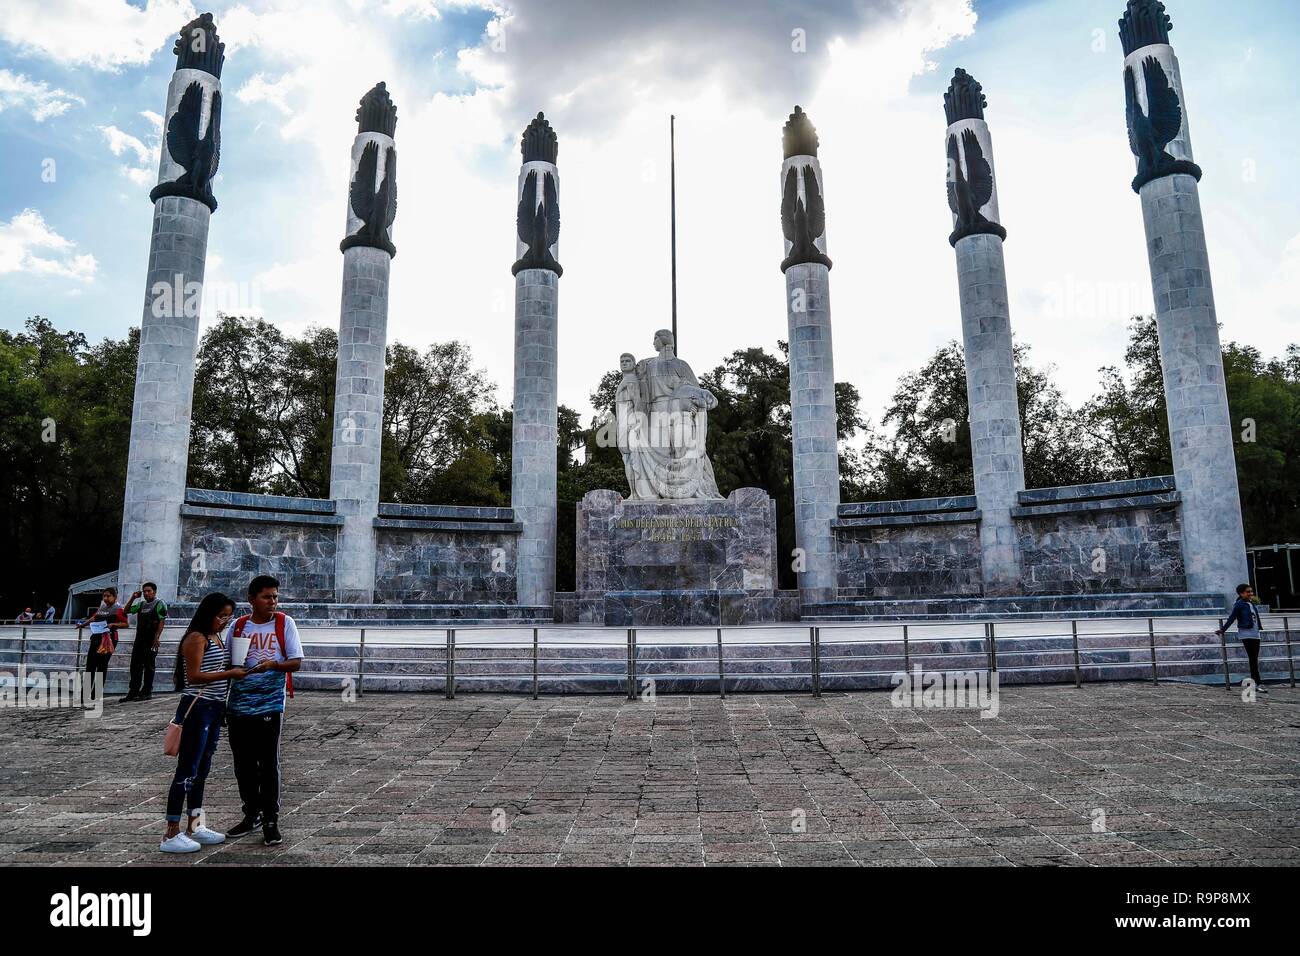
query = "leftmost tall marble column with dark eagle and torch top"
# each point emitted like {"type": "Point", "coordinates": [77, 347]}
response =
{"type": "Point", "coordinates": [170, 327]}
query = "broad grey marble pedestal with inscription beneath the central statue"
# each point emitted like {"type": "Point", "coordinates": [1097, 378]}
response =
{"type": "Point", "coordinates": [677, 563]}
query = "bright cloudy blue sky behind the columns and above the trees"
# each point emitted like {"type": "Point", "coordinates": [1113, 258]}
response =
{"type": "Point", "coordinates": [83, 84]}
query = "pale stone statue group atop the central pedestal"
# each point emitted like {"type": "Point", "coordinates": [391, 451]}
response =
{"type": "Point", "coordinates": [664, 425]}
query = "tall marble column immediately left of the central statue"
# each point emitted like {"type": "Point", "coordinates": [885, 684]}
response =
{"type": "Point", "coordinates": [536, 429]}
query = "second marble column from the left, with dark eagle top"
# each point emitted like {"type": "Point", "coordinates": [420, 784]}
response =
{"type": "Point", "coordinates": [354, 475]}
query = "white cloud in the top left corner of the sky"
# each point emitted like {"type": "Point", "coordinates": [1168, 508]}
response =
{"type": "Point", "coordinates": [102, 34]}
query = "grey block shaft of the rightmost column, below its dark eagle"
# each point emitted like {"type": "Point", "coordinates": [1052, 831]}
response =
{"type": "Point", "coordinates": [1191, 360]}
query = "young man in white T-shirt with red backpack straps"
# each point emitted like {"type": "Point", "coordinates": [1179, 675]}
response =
{"type": "Point", "coordinates": [257, 706]}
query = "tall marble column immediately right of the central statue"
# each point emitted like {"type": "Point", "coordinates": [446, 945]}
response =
{"type": "Point", "coordinates": [808, 308]}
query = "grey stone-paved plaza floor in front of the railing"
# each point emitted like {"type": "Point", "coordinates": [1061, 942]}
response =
{"type": "Point", "coordinates": [1184, 775]}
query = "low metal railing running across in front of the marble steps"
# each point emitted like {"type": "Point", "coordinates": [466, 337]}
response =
{"type": "Point", "coordinates": [721, 660]}
